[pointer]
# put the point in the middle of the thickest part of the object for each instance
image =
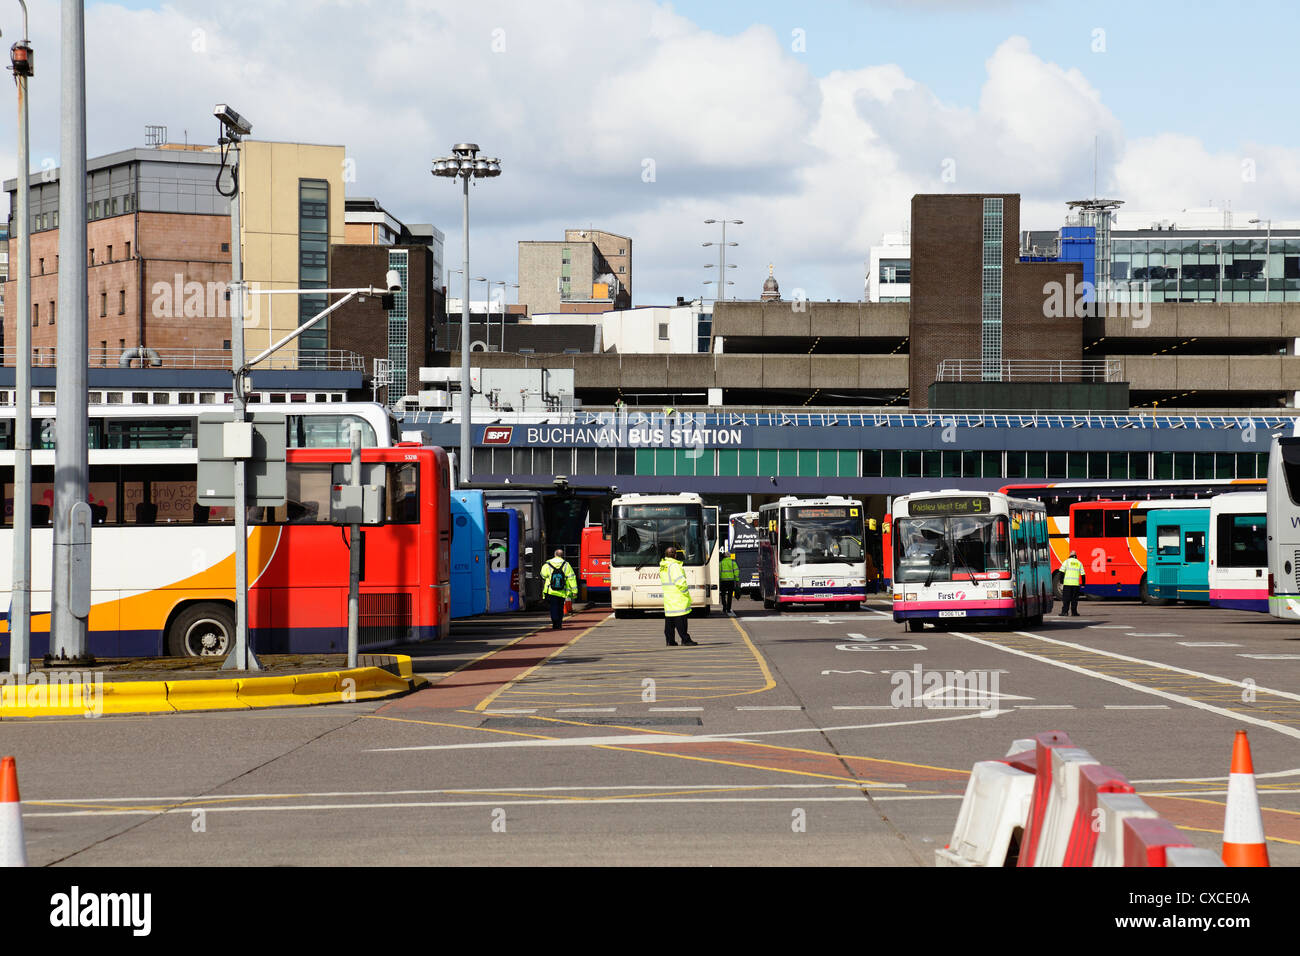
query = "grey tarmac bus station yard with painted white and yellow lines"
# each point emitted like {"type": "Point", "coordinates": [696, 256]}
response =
{"type": "Point", "coordinates": [792, 738]}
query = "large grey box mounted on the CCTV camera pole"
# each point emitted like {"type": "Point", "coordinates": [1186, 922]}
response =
{"type": "Point", "coordinates": [266, 479]}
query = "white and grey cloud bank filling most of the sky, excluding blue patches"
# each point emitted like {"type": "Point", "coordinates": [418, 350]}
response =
{"type": "Point", "coordinates": [577, 96]}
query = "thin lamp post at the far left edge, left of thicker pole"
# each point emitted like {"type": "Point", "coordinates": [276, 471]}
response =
{"type": "Point", "coordinates": [20, 603]}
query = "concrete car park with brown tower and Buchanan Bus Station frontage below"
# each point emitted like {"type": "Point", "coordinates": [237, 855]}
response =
{"type": "Point", "coordinates": [801, 397]}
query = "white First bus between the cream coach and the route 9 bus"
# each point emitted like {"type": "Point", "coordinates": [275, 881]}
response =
{"type": "Point", "coordinates": [812, 551]}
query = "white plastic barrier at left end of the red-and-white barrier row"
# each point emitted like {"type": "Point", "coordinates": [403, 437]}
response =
{"type": "Point", "coordinates": [995, 806]}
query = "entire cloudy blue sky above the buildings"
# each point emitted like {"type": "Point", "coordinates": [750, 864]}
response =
{"type": "Point", "coordinates": [818, 149]}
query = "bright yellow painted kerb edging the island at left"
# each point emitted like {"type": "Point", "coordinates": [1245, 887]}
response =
{"type": "Point", "coordinates": [382, 676]}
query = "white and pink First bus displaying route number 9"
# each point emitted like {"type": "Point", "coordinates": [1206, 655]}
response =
{"type": "Point", "coordinates": [970, 555]}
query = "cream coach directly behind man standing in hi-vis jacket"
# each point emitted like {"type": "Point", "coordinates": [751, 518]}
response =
{"type": "Point", "coordinates": [640, 527]}
